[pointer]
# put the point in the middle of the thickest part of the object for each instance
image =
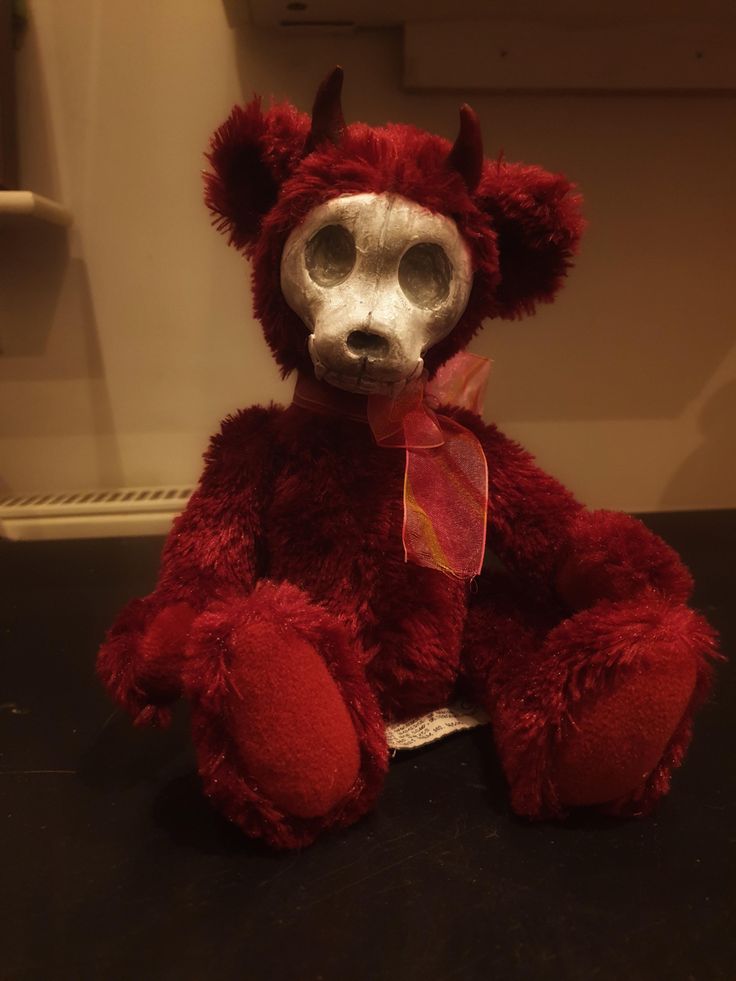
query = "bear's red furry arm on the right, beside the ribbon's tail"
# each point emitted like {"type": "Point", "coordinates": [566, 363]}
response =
{"type": "Point", "coordinates": [544, 535]}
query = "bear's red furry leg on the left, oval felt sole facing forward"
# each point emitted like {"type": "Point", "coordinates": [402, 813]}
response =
{"type": "Point", "coordinates": [288, 733]}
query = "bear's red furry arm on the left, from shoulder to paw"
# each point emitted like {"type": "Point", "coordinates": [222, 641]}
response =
{"type": "Point", "coordinates": [212, 552]}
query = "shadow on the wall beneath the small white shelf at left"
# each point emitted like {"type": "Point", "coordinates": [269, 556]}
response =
{"type": "Point", "coordinates": [48, 335]}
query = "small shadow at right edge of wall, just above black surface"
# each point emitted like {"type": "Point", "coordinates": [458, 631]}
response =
{"type": "Point", "coordinates": [708, 472]}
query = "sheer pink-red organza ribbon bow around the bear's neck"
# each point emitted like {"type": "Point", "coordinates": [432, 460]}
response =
{"type": "Point", "coordinates": [446, 474]}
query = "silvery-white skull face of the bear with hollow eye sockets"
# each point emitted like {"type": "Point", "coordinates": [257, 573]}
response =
{"type": "Point", "coordinates": [378, 280]}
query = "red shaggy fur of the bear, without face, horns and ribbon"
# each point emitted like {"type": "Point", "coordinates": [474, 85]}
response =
{"type": "Point", "coordinates": [285, 611]}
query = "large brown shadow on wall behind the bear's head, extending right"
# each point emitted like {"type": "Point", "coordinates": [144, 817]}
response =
{"type": "Point", "coordinates": [643, 321]}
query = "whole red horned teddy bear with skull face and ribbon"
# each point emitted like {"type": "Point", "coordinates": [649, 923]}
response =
{"type": "Point", "coordinates": [326, 575]}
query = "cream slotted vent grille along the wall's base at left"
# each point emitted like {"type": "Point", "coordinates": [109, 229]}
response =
{"type": "Point", "coordinates": [91, 513]}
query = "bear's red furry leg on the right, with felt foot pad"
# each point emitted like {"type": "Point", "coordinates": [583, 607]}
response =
{"type": "Point", "coordinates": [593, 710]}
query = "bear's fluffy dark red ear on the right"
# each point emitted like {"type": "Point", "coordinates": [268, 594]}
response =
{"type": "Point", "coordinates": [536, 216]}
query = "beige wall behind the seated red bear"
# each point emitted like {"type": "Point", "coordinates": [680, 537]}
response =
{"type": "Point", "coordinates": [126, 339]}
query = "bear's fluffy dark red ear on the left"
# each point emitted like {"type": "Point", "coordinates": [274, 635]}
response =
{"type": "Point", "coordinates": [251, 155]}
